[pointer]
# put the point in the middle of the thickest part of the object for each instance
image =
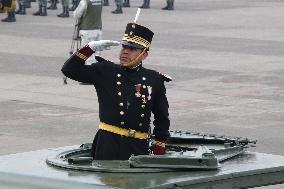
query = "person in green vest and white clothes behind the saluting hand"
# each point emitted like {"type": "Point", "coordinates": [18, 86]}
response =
{"type": "Point", "coordinates": [89, 16]}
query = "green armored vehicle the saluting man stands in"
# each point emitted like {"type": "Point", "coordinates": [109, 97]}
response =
{"type": "Point", "coordinates": [192, 160]}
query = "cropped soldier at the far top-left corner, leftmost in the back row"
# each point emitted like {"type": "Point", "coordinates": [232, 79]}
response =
{"type": "Point", "coordinates": [9, 7]}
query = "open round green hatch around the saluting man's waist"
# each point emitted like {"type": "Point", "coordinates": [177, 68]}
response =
{"type": "Point", "coordinates": [184, 151]}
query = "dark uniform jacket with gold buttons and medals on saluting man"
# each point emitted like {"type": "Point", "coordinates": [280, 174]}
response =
{"type": "Point", "coordinates": [126, 99]}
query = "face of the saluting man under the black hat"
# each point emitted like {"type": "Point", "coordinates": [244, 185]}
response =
{"type": "Point", "coordinates": [131, 57]}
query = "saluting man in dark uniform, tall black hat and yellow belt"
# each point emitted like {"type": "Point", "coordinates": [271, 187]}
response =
{"type": "Point", "coordinates": [127, 94]}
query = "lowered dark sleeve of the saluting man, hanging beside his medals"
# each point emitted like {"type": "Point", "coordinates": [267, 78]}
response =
{"type": "Point", "coordinates": [161, 114]}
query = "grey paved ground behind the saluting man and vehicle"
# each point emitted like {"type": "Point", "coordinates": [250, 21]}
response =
{"type": "Point", "coordinates": [225, 56]}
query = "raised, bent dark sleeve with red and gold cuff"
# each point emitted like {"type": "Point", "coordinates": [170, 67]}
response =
{"type": "Point", "coordinates": [75, 68]}
